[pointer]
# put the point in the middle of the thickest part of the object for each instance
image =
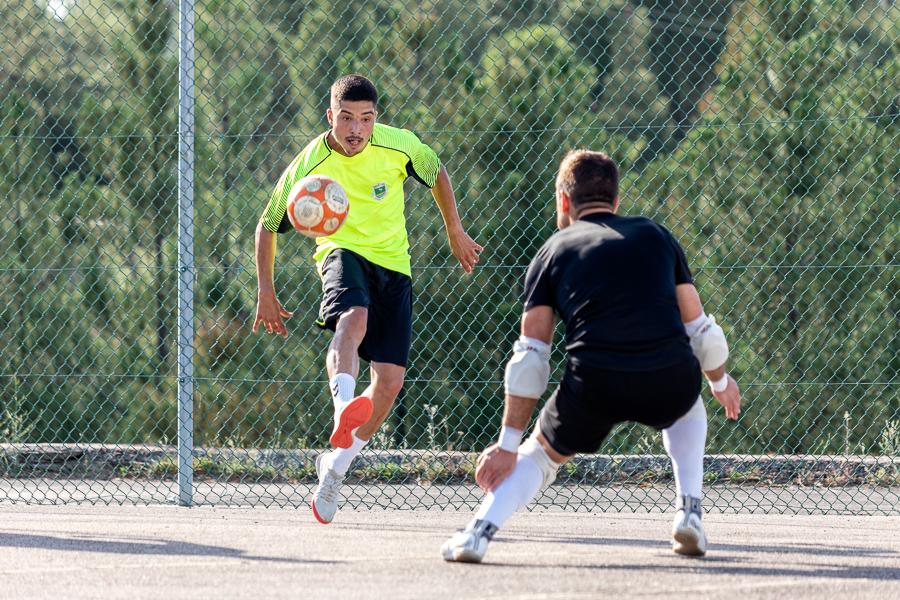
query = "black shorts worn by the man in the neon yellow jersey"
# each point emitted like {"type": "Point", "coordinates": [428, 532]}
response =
{"type": "Point", "coordinates": [350, 280]}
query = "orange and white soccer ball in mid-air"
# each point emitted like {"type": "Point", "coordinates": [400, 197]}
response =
{"type": "Point", "coordinates": [317, 206]}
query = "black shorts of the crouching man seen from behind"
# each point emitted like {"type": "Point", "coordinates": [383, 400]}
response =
{"type": "Point", "coordinates": [589, 402]}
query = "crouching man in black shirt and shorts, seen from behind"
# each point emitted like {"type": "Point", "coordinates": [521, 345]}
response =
{"type": "Point", "coordinates": [636, 342]}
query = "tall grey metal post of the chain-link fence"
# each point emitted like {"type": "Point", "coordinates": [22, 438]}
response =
{"type": "Point", "coordinates": [185, 252]}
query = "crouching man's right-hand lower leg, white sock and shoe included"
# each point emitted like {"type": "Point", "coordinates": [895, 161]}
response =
{"type": "Point", "coordinates": [685, 441]}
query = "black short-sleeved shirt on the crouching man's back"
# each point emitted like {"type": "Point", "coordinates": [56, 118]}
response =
{"type": "Point", "coordinates": [612, 281]}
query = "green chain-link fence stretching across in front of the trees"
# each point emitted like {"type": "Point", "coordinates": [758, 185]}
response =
{"type": "Point", "coordinates": [763, 134]}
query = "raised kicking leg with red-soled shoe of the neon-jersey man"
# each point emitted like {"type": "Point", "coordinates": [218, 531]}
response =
{"type": "Point", "coordinates": [342, 362]}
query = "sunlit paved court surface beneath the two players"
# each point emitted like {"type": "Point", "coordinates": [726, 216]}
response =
{"type": "Point", "coordinates": [169, 552]}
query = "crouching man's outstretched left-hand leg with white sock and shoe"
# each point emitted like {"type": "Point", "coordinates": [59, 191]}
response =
{"type": "Point", "coordinates": [536, 468]}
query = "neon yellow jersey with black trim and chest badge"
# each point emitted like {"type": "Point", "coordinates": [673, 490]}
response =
{"type": "Point", "coordinates": [373, 179]}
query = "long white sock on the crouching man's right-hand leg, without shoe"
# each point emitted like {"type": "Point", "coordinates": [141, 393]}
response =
{"type": "Point", "coordinates": [685, 442]}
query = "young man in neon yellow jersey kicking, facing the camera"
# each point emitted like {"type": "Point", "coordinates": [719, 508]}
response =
{"type": "Point", "coordinates": [365, 266]}
